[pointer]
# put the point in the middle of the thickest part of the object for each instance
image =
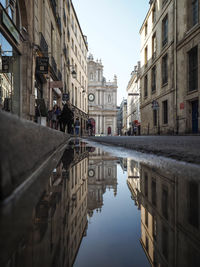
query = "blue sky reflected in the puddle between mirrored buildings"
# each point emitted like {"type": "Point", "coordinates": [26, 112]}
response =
{"type": "Point", "coordinates": [113, 235]}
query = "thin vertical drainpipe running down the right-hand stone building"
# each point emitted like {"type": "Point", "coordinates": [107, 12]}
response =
{"type": "Point", "coordinates": [175, 68]}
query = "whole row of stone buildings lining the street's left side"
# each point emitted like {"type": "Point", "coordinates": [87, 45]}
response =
{"type": "Point", "coordinates": [45, 45]}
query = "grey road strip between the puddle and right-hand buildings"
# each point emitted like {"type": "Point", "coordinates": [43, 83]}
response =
{"type": "Point", "coordinates": [185, 148]}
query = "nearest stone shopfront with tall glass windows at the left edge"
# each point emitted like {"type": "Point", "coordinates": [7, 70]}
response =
{"type": "Point", "coordinates": [16, 32]}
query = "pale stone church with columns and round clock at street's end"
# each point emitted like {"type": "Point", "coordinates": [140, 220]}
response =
{"type": "Point", "coordinates": [102, 100]}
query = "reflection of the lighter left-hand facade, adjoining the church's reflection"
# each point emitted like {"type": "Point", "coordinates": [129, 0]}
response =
{"type": "Point", "coordinates": [77, 217]}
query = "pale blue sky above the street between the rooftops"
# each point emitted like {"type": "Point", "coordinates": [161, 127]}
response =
{"type": "Point", "coordinates": [112, 28]}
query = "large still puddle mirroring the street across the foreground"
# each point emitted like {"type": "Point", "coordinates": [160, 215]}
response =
{"type": "Point", "coordinates": [106, 206]}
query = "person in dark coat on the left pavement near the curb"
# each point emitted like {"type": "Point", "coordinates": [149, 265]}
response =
{"type": "Point", "coordinates": [66, 118]}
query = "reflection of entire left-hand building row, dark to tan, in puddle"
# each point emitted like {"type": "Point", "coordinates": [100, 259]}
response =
{"type": "Point", "coordinates": [60, 216]}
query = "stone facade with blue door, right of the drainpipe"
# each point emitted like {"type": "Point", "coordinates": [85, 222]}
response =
{"type": "Point", "coordinates": [187, 60]}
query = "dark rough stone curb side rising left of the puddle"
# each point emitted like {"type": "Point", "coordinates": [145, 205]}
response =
{"type": "Point", "coordinates": [24, 146]}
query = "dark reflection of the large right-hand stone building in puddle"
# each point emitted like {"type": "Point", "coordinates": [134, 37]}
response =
{"type": "Point", "coordinates": [169, 219]}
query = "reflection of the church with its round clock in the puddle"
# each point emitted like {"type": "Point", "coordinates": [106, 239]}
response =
{"type": "Point", "coordinates": [102, 174]}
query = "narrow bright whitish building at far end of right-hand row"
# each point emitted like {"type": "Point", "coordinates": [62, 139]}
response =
{"type": "Point", "coordinates": [133, 101]}
